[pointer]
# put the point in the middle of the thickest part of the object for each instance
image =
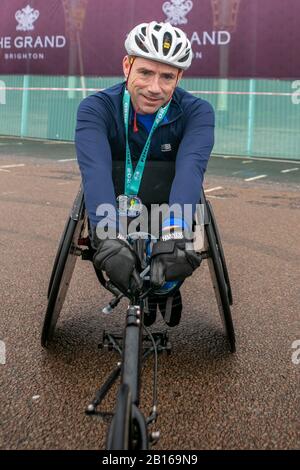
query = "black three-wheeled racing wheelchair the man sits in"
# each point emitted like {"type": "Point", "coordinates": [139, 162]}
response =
{"type": "Point", "coordinates": [129, 429]}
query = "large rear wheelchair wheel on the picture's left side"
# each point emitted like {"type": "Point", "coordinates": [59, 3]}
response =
{"type": "Point", "coordinates": [63, 269]}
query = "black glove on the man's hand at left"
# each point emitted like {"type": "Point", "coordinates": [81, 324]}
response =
{"type": "Point", "coordinates": [119, 261]}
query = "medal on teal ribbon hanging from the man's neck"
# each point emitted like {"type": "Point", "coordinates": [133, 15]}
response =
{"type": "Point", "coordinates": [129, 203]}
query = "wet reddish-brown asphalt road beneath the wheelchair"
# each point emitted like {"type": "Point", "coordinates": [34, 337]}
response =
{"type": "Point", "coordinates": [208, 398]}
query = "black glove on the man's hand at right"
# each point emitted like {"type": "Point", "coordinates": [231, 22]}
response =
{"type": "Point", "coordinates": [171, 260]}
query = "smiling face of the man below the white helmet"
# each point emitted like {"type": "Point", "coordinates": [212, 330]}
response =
{"type": "Point", "coordinates": [150, 84]}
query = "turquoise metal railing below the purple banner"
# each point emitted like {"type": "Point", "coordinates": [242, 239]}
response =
{"type": "Point", "coordinates": [253, 117]}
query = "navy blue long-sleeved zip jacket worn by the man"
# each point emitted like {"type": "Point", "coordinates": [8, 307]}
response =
{"type": "Point", "coordinates": [100, 138]}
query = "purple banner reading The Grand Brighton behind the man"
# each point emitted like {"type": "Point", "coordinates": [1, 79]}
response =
{"type": "Point", "coordinates": [230, 38]}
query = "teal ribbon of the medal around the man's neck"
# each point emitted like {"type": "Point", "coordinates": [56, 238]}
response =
{"type": "Point", "coordinates": [133, 178]}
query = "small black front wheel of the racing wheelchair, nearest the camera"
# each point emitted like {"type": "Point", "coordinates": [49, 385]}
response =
{"type": "Point", "coordinates": [128, 429]}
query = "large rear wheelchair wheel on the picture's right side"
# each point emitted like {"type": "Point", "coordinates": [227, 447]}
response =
{"type": "Point", "coordinates": [219, 281]}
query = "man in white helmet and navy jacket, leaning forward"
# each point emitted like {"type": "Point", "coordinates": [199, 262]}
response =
{"type": "Point", "coordinates": [144, 123]}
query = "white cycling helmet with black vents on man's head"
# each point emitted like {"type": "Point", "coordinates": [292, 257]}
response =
{"type": "Point", "coordinates": [161, 42]}
